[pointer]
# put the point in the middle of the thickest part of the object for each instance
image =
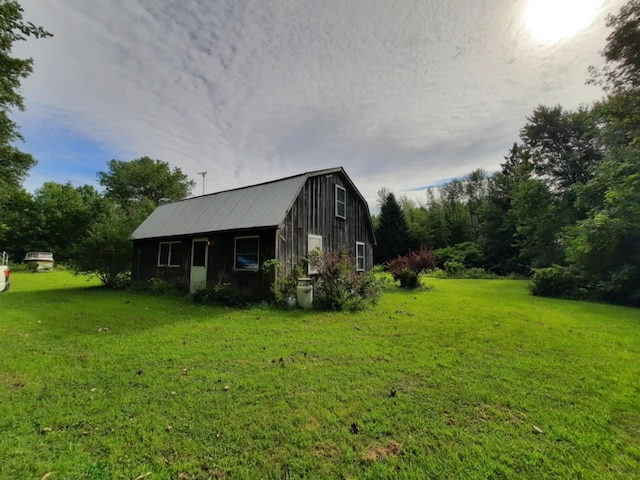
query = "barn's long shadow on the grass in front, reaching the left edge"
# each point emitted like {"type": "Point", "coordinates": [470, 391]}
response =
{"type": "Point", "coordinates": [75, 310]}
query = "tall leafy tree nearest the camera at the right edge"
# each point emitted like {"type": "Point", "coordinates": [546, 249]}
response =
{"type": "Point", "coordinates": [604, 248]}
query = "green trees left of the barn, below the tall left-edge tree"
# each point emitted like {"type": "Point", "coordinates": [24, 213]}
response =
{"type": "Point", "coordinates": [89, 230]}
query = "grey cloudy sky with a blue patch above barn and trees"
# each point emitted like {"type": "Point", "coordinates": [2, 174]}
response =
{"type": "Point", "coordinates": [402, 93]}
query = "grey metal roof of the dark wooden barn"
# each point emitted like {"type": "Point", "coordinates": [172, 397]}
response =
{"type": "Point", "coordinates": [256, 206]}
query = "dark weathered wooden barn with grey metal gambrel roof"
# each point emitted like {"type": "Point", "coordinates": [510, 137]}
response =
{"type": "Point", "coordinates": [225, 237]}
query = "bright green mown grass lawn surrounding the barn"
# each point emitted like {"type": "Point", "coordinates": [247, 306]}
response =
{"type": "Point", "coordinates": [469, 379]}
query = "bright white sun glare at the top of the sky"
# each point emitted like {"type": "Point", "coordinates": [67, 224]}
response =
{"type": "Point", "coordinates": [553, 20]}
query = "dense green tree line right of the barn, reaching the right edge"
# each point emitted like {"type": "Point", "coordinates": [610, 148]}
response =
{"type": "Point", "coordinates": [565, 205]}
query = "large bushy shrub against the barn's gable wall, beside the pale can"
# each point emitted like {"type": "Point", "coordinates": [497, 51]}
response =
{"type": "Point", "coordinates": [339, 287]}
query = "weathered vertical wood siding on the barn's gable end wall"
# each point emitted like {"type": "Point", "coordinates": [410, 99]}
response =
{"type": "Point", "coordinates": [313, 212]}
